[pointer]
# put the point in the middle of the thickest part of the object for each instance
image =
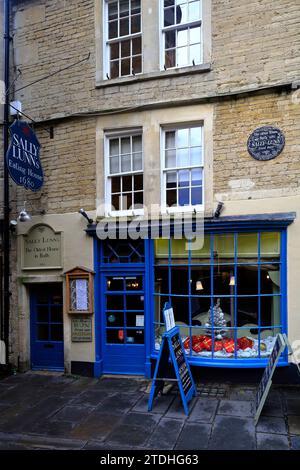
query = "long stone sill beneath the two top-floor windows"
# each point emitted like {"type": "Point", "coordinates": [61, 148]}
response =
{"type": "Point", "coordinates": [170, 73]}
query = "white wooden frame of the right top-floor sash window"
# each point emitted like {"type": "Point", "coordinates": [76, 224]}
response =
{"type": "Point", "coordinates": [183, 26]}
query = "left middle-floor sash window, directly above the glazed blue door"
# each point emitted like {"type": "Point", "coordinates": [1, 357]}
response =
{"type": "Point", "coordinates": [124, 163]}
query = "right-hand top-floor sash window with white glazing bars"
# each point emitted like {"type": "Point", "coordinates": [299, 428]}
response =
{"type": "Point", "coordinates": [182, 33]}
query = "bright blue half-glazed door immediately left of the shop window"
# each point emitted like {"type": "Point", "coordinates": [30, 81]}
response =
{"type": "Point", "coordinates": [123, 324]}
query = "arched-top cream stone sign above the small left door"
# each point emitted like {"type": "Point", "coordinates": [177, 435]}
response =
{"type": "Point", "coordinates": [41, 248]}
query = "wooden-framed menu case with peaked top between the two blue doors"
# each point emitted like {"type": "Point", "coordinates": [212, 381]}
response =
{"type": "Point", "coordinates": [79, 283]}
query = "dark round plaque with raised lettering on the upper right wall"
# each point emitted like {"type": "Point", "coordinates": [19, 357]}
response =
{"type": "Point", "coordinates": [266, 143]}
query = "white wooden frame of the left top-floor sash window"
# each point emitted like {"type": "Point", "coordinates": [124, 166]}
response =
{"type": "Point", "coordinates": [107, 42]}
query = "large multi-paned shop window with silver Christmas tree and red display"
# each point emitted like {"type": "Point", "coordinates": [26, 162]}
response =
{"type": "Point", "coordinates": [227, 296]}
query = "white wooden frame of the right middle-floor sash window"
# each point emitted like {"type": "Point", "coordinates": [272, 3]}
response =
{"type": "Point", "coordinates": [180, 209]}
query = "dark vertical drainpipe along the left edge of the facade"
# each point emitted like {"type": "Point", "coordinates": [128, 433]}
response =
{"type": "Point", "coordinates": [6, 209]}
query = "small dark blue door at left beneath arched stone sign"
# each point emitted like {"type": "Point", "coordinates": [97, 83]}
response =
{"type": "Point", "coordinates": [47, 346]}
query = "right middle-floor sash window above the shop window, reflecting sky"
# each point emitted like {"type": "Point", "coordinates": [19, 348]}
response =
{"type": "Point", "coordinates": [182, 168]}
